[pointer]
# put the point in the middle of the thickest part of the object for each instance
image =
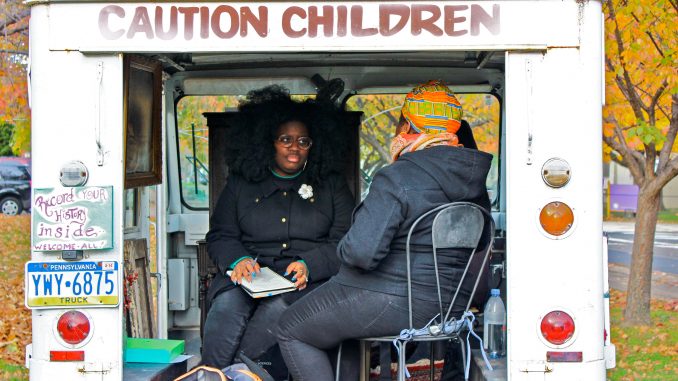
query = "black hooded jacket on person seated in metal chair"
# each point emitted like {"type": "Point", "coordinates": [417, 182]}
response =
{"type": "Point", "coordinates": [372, 253]}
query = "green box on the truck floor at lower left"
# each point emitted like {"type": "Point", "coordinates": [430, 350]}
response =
{"type": "Point", "coordinates": [152, 350]}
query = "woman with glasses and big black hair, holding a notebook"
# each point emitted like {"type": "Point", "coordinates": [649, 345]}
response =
{"type": "Point", "coordinates": [285, 206]}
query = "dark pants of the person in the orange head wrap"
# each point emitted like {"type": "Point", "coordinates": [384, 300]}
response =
{"type": "Point", "coordinates": [334, 313]}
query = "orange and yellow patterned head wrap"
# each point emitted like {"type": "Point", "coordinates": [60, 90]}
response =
{"type": "Point", "coordinates": [432, 108]}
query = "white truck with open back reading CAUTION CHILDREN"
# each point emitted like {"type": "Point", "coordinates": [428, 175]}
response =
{"type": "Point", "coordinates": [129, 101]}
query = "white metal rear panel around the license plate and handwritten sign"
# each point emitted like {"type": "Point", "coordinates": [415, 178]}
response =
{"type": "Point", "coordinates": [66, 112]}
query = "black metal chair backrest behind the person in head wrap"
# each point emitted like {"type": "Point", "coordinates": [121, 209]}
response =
{"type": "Point", "coordinates": [458, 225]}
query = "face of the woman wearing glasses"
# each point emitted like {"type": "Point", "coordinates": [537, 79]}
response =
{"type": "Point", "coordinates": [290, 160]}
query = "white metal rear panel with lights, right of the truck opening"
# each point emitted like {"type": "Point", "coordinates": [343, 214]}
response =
{"type": "Point", "coordinates": [553, 110]}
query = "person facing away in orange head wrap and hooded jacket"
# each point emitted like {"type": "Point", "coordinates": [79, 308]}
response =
{"type": "Point", "coordinates": [368, 297]}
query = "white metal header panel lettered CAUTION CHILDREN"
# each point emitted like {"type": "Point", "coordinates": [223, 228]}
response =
{"type": "Point", "coordinates": [132, 27]}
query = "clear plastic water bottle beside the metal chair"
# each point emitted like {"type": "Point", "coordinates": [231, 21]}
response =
{"type": "Point", "coordinates": [494, 326]}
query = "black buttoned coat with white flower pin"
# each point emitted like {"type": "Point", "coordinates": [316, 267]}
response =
{"type": "Point", "coordinates": [270, 221]}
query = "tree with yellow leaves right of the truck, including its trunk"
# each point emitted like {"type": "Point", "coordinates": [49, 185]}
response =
{"type": "Point", "coordinates": [641, 121]}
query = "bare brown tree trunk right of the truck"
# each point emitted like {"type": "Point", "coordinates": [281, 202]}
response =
{"type": "Point", "coordinates": [638, 296]}
